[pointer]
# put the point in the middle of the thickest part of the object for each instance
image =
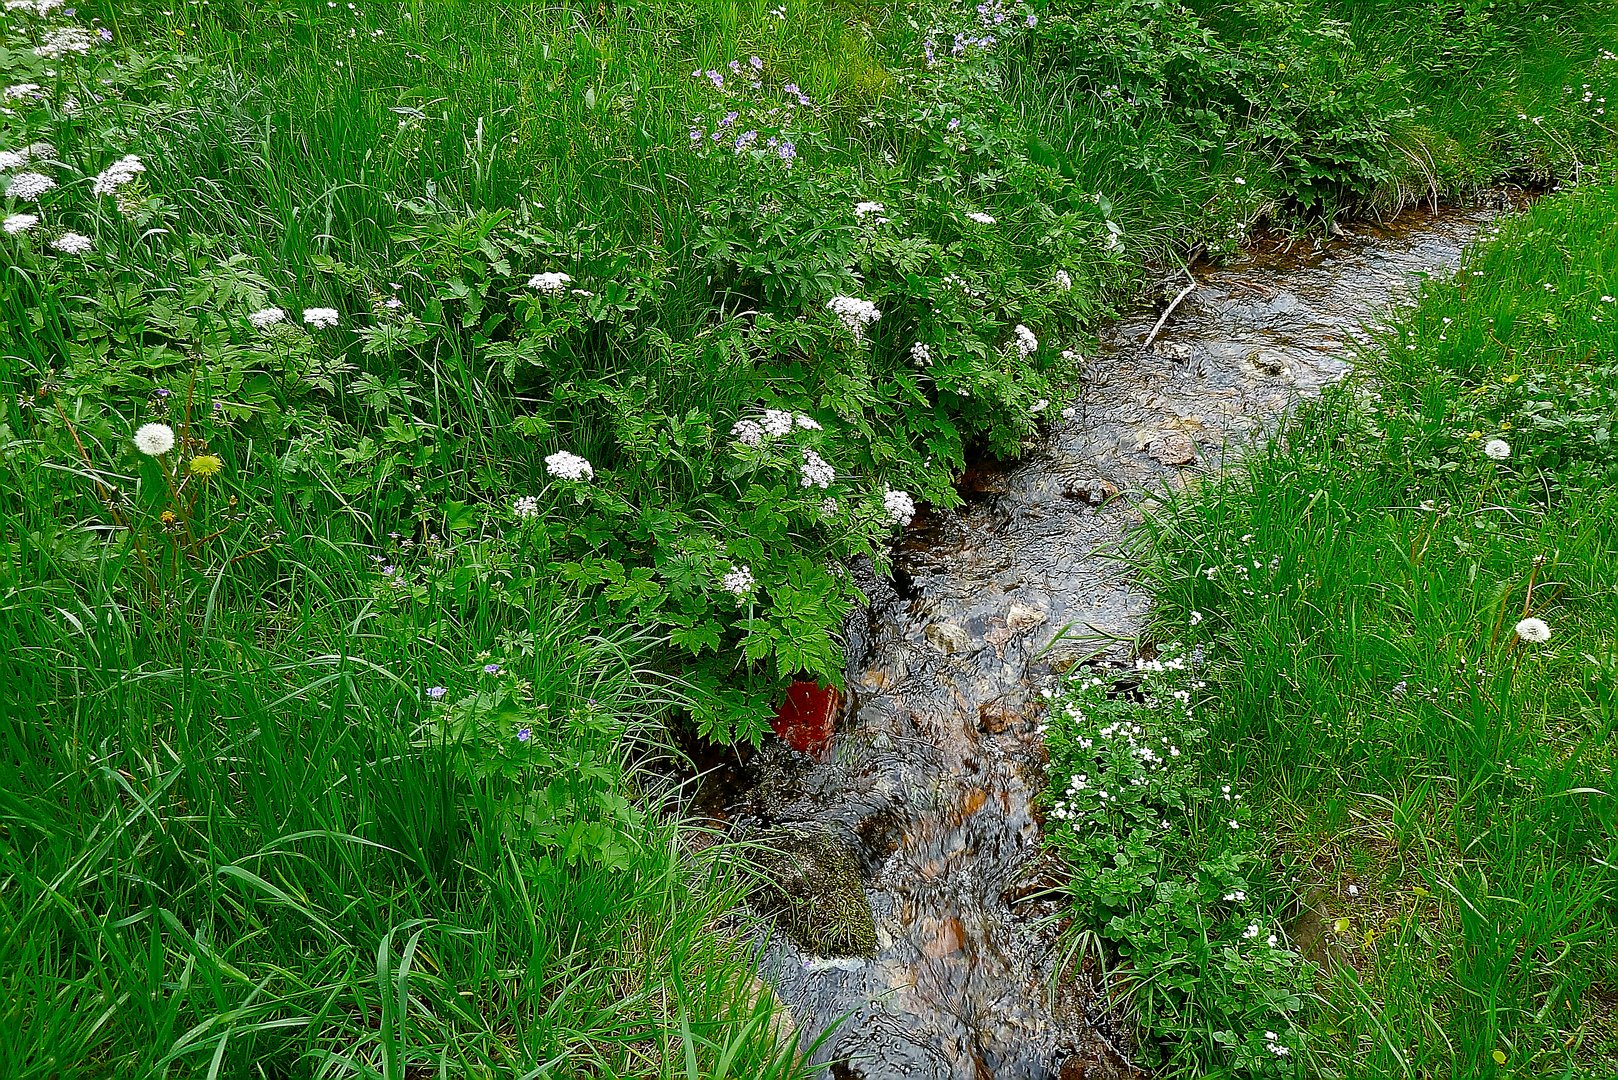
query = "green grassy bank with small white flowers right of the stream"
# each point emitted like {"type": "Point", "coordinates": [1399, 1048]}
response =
{"type": "Point", "coordinates": [1407, 614]}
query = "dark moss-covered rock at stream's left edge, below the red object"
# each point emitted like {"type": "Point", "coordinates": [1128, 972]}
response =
{"type": "Point", "coordinates": [813, 887]}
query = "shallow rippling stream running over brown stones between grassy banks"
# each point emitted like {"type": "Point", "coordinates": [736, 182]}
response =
{"type": "Point", "coordinates": [930, 781]}
